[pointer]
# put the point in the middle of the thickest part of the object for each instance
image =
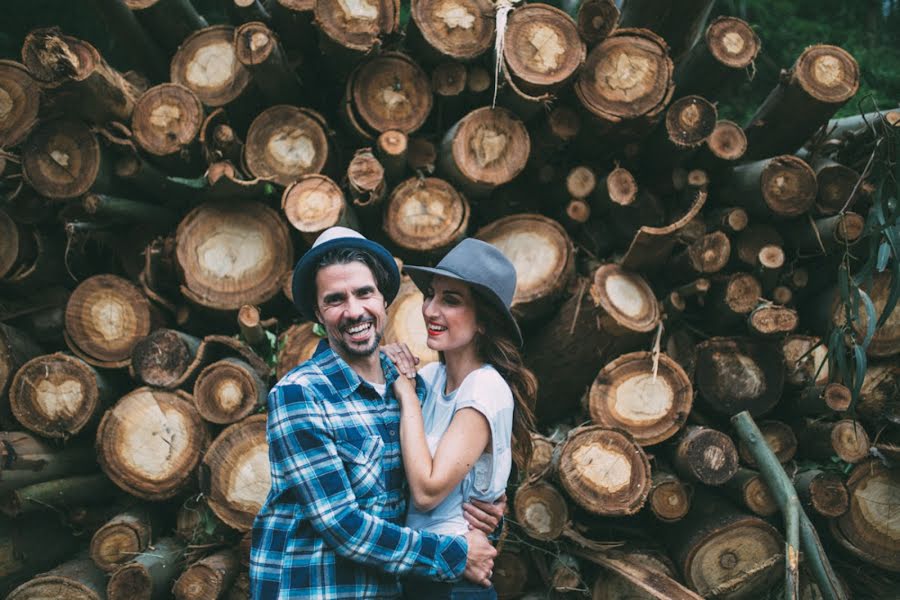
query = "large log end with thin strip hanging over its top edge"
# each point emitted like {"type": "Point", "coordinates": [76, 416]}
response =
{"type": "Point", "coordinates": [630, 394]}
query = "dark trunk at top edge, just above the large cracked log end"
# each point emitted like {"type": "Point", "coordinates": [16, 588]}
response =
{"type": "Point", "coordinates": [679, 23]}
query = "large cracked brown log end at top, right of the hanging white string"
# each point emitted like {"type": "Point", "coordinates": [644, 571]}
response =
{"type": "Point", "coordinates": [626, 76]}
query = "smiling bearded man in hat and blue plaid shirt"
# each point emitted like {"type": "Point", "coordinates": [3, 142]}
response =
{"type": "Point", "coordinates": [331, 524]}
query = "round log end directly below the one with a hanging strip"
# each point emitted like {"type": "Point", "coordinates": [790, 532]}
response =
{"type": "Point", "coordinates": [604, 471]}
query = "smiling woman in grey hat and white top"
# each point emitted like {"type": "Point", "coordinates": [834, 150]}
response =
{"type": "Point", "coordinates": [476, 419]}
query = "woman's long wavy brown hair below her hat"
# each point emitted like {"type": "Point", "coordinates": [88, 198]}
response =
{"type": "Point", "coordinates": [496, 347]}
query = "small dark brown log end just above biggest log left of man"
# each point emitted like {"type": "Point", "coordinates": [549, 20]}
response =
{"type": "Point", "coordinates": [162, 357]}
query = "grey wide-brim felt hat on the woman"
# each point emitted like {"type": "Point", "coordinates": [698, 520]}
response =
{"type": "Point", "coordinates": [483, 267]}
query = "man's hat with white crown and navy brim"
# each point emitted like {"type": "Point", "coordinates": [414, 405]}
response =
{"type": "Point", "coordinates": [331, 239]}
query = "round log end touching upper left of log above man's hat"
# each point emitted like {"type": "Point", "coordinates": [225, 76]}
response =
{"type": "Point", "coordinates": [284, 143]}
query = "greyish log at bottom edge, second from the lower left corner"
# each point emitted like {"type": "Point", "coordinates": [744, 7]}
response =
{"type": "Point", "coordinates": [150, 575]}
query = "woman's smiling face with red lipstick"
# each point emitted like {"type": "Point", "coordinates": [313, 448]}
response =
{"type": "Point", "coordinates": [449, 311]}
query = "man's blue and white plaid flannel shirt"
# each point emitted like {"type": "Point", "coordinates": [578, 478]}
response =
{"type": "Point", "coordinates": [332, 524]}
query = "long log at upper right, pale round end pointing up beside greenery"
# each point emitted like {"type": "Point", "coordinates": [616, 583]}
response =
{"type": "Point", "coordinates": [819, 83]}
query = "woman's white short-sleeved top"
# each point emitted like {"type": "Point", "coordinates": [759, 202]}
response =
{"type": "Point", "coordinates": [485, 391]}
